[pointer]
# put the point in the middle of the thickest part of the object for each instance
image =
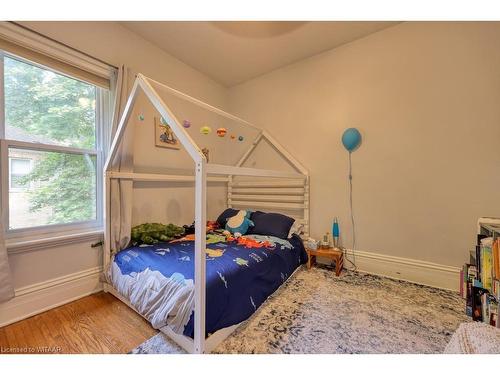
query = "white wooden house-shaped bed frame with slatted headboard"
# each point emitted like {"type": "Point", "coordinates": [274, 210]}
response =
{"type": "Point", "coordinates": [280, 191]}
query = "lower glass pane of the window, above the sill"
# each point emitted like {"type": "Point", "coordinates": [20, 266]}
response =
{"type": "Point", "coordinates": [60, 189]}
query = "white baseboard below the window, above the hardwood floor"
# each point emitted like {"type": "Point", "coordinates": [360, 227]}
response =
{"type": "Point", "coordinates": [34, 299]}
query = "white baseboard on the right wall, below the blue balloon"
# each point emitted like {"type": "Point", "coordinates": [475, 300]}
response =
{"type": "Point", "coordinates": [417, 271]}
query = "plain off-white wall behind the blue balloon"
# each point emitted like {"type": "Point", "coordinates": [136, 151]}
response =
{"type": "Point", "coordinates": [425, 97]}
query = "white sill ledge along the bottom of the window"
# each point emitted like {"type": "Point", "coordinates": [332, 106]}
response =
{"type": "Point", "coordinates": [16, 246]}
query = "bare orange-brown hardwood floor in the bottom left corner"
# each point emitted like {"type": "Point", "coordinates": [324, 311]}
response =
{"type": "Point", "coordinates": [99, 323]}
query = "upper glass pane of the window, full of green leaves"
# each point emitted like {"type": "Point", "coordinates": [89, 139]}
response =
{"type": "Point", "coordinates": [46, 107]}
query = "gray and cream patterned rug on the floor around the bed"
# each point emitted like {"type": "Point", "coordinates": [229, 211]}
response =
{"type": "Point", "coordinates": [316, 312]}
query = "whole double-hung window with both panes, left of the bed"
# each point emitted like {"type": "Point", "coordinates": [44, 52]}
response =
{"type": "Point", "coordinates": [52, 136]}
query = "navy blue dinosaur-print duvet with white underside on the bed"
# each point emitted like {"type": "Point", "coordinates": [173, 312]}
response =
{"type": "Point", "coordinates": [158, 280]}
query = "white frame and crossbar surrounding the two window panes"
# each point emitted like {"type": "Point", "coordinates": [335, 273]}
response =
{"type": "Point", "coordinates": [51, 230]}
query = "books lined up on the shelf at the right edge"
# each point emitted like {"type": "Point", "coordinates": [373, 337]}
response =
{"type": "Point", "coordinates": [480, 281]}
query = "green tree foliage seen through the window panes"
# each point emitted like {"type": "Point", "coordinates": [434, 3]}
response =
{"type": "Point", "coordinates": [61, 111]}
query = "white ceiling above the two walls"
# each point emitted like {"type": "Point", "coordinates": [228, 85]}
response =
{"type": "Point", "coordinates": [234, 52]}
